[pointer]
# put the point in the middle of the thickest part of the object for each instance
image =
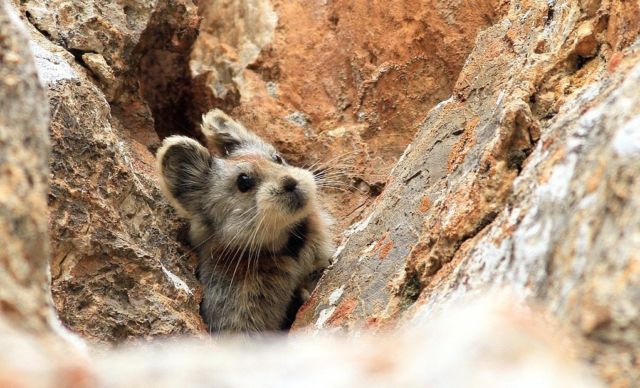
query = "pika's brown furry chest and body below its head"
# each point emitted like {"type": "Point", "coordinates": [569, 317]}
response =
{"type": "Point", "coordinates": [248, 291]}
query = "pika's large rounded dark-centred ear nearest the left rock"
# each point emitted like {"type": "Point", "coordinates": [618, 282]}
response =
{"type": "Point", "coordinates": [186, 168]}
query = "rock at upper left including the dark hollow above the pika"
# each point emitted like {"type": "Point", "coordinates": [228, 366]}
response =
{"type": "Point", "coordinates": [136, 52]}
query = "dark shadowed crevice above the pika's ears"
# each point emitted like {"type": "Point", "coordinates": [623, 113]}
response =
{"type": "Point", "coordinates": [176, 100]}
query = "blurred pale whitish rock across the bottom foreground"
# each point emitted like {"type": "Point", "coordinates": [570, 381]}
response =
{"type": "Point", "coordinates": [528, 352]}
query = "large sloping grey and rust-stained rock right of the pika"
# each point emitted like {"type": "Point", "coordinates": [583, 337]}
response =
{"type": "Point", "coordinates": [526, 178]}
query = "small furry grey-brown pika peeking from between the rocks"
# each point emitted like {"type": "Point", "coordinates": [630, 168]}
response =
{"type": "Point", "coordinates": [256, 222]}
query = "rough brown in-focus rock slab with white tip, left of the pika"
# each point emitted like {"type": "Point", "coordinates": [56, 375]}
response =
{"type": "Point", "coordinates": [114, 251]}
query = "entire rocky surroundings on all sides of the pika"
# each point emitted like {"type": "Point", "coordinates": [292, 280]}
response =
{"type": "Point", "coordinates": [523, 175]}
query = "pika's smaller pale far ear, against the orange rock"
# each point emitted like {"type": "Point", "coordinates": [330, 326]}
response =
{"type": "Point", "coordinates": [226, 135]}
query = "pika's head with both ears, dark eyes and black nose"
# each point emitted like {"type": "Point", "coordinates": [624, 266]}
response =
{"type": "Point", "coordinates": [245, 192]}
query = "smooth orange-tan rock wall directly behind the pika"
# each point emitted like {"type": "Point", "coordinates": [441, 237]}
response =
{"type": "Point", "coordinates": [370, 65]}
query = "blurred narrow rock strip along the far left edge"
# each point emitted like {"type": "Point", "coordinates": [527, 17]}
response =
{"type": "Point", "coordinates": [24, 146]}
